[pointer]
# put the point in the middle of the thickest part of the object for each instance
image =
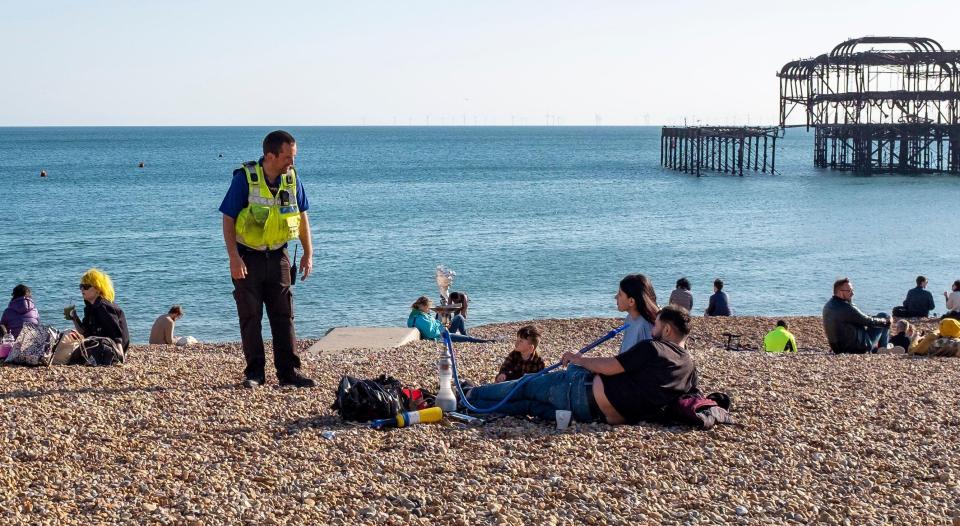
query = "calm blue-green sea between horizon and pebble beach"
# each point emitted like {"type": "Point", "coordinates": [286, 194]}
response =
{"type": "Point", "coordinates": [537, 222]}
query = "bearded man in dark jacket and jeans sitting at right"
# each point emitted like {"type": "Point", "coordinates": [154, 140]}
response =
{"type": "Point", "coordinates": [848, 329]}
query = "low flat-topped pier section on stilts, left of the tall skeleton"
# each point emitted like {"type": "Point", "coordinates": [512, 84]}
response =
{"type": "Point", "coordinates": [694, 149]}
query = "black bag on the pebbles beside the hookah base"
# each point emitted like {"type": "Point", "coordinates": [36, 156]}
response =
{"type": "Point", "coordinates": [365, 400]}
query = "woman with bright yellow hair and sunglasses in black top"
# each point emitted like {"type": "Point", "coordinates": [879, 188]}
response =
{"type": "Point", "coordinates": [101, 316]}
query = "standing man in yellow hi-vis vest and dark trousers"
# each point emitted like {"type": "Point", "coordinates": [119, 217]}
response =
{"type": "Point", "coordinates": [265, 208]}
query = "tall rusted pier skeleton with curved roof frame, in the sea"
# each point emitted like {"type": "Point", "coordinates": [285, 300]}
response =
{"type": "Point", "coordinates": [878, 110]}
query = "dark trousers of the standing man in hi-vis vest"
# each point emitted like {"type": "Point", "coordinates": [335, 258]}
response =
{"type": "Point", "coordinates": [267, 284]}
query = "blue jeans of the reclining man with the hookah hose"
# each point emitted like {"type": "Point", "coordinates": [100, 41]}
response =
{"type": "Point", "coordinates": [540, 397]}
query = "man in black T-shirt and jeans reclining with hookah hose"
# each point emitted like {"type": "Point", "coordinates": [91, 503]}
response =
{"type": "Point", "coordinates": [624, 389]}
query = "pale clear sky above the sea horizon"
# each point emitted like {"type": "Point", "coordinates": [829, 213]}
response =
{"type": "Point", "coordinates": [178, 63]}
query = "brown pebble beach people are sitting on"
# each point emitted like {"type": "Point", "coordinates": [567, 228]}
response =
{"type": "Point", "coordinates": [170, 438]}
